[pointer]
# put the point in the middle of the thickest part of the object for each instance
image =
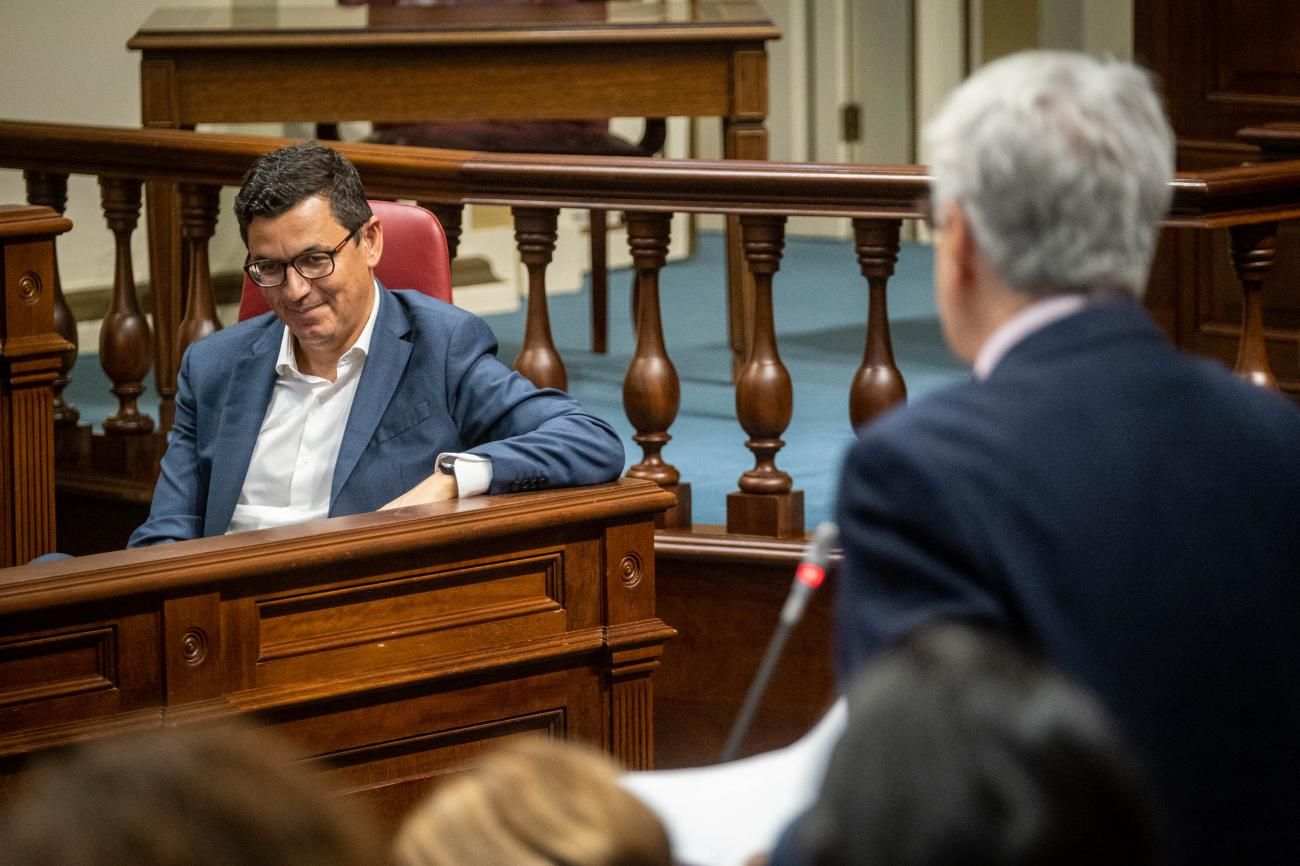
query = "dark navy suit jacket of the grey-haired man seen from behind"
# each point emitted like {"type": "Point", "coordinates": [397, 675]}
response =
{"type": "Point", "coordinates": [1133, 512]}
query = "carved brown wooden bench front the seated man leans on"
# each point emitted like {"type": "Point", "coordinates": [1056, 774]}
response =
{"type": "Point", "coordinates": [389, 646]}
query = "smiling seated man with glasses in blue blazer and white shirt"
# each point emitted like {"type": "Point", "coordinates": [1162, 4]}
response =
{"type": "Point", "coordinates": [350, 397]}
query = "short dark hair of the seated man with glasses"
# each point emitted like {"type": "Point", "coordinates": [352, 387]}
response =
{"type": "Point", "coordinates": [283, 179]}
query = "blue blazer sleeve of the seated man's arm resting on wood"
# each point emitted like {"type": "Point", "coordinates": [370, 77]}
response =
{"type": "Point", "coordinates": [535, 438]}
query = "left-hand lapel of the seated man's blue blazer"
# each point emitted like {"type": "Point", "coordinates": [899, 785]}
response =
{"type": "Point", "coordinates": [248, 396]}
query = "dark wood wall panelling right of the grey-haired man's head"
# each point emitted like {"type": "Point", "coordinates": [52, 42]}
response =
{"type": "Point", "coordinates": [1225, 66]}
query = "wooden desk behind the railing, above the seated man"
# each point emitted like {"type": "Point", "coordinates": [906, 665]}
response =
{"type": "Point", "coordinates": [330, 64]}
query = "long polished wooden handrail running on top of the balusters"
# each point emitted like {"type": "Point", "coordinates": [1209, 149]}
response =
{"type": "Point", "coordinates": [1206, 200]}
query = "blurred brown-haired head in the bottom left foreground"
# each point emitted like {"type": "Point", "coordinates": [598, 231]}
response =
{"type": "Point", "coordinates": [219, 796]}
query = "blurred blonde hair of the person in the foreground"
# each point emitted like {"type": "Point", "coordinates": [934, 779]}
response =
{"type": "Point", "coordinates": [534, 803]}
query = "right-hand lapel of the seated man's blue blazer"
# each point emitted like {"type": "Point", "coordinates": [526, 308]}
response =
{"type": "Point", "coordinates": [391, 350]}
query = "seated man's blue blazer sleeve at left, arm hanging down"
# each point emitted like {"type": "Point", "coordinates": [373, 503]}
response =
{"type": "Point", "coordinates": [180, 496]}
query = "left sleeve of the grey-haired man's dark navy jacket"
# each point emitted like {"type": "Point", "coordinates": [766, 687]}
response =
{"type": "Point", "coordinates": [909, 556]}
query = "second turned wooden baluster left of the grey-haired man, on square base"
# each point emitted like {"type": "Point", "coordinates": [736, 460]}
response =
{"type": "Point", "coordinates": [765, 400]}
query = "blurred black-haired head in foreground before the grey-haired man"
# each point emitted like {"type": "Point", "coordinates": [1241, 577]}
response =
{"type": "Point", "coordinates": [961, 751]}
